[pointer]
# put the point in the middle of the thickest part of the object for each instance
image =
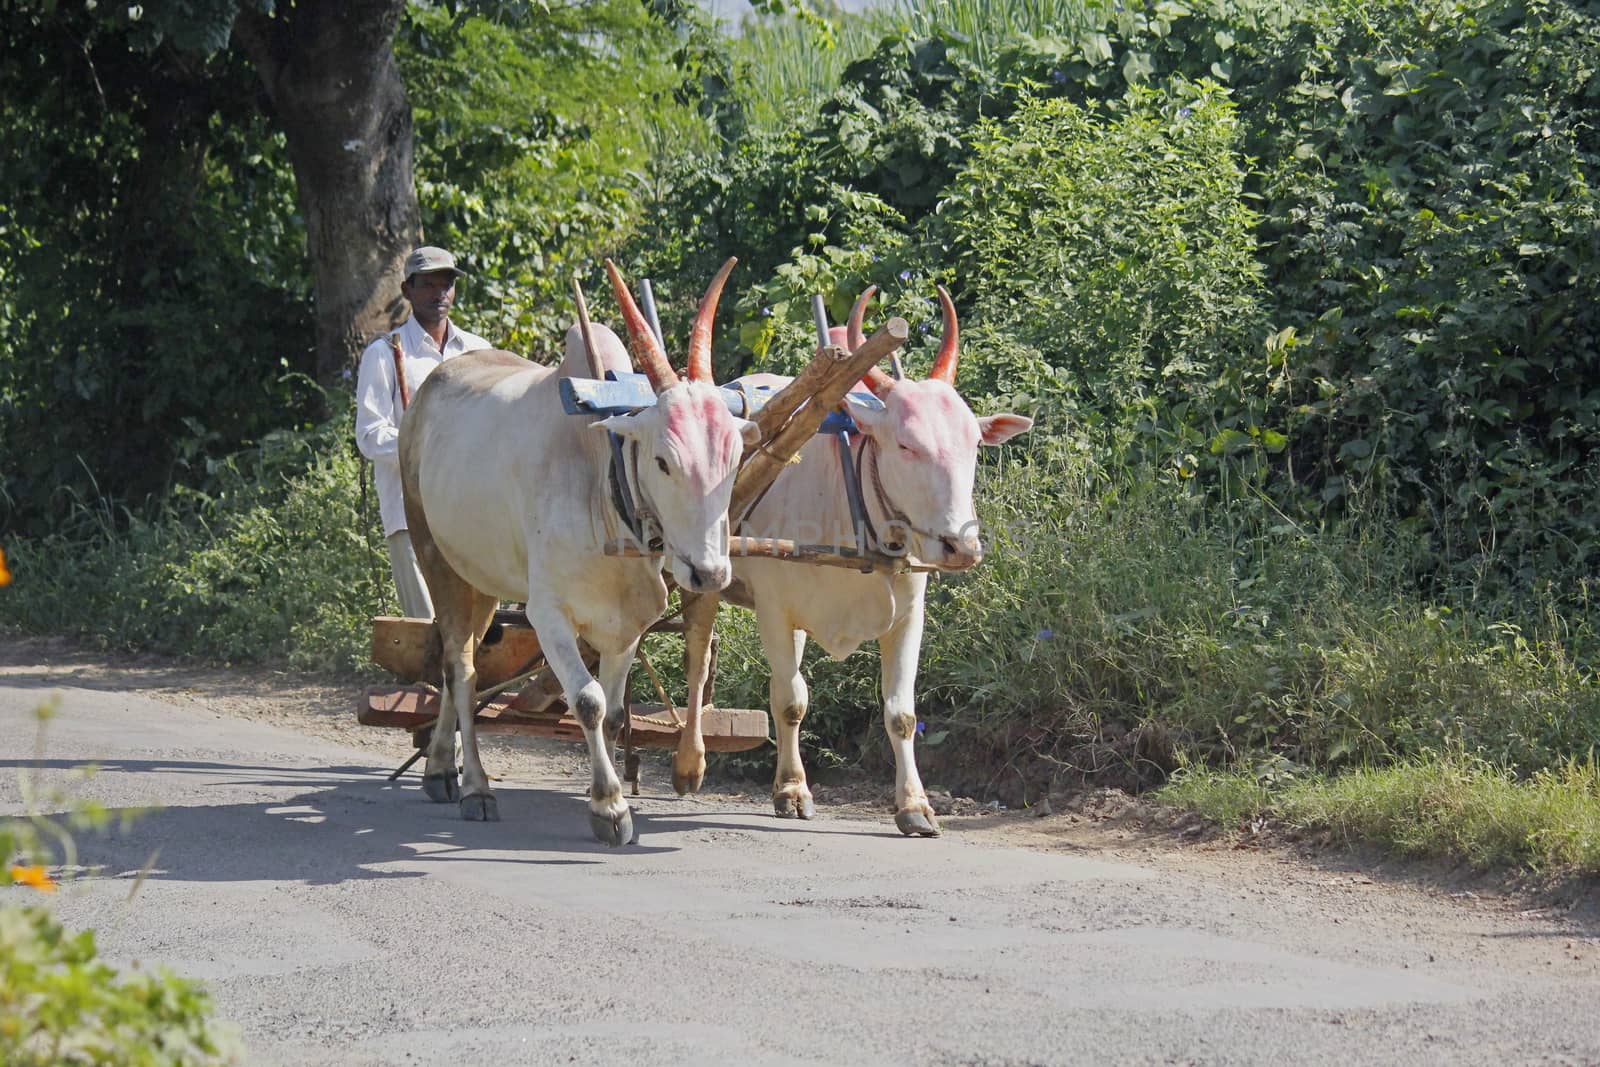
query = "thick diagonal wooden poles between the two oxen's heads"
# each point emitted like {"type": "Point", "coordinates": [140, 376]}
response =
{"type": "Point", "coordinates": [788, 426]}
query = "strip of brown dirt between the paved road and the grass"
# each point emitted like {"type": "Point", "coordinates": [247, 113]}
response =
{"type": "Point", "coordinates": [1514, 921]}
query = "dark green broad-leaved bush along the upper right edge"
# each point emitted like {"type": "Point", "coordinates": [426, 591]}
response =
{"type": "Point", "coordinates": [1431, 228]}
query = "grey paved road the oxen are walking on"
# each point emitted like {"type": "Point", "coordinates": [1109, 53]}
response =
{"type": "Point", "coordinates": [345, 921]}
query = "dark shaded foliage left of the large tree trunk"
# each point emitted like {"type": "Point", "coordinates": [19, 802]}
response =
{"type": "Point", "coordinates": [158, 310]}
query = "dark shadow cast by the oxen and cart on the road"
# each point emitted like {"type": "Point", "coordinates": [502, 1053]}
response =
{"type": "Point", "coordinates": [335, 825]}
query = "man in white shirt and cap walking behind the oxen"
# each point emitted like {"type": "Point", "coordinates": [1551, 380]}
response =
{"type": "Point", "coordinates": [420, 345]}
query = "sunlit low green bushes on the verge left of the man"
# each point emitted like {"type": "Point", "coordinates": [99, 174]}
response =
{"type": "Point", "coordinates": [276, 562]}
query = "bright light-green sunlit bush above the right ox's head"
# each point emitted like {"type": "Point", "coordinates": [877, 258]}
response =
{"type": "Point", "coordinates": [1121, 252]}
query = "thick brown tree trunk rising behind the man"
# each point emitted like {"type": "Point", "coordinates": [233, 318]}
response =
{"type": "Point", "coordinates": [332, 76]}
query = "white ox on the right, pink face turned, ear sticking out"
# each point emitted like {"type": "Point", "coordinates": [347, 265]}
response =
{"type": "Point", "coordinates": [918, 462]}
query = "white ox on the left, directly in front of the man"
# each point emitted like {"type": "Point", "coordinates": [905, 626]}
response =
{"type": "Point", "coordinates": [508, 498]}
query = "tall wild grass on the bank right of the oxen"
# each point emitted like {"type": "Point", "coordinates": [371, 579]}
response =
{"type": "Point", "coordinates": [1119, 596]}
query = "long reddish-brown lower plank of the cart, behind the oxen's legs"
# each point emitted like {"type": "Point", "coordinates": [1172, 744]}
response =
{"type": "Point", "coordinates": [412, 708]}
